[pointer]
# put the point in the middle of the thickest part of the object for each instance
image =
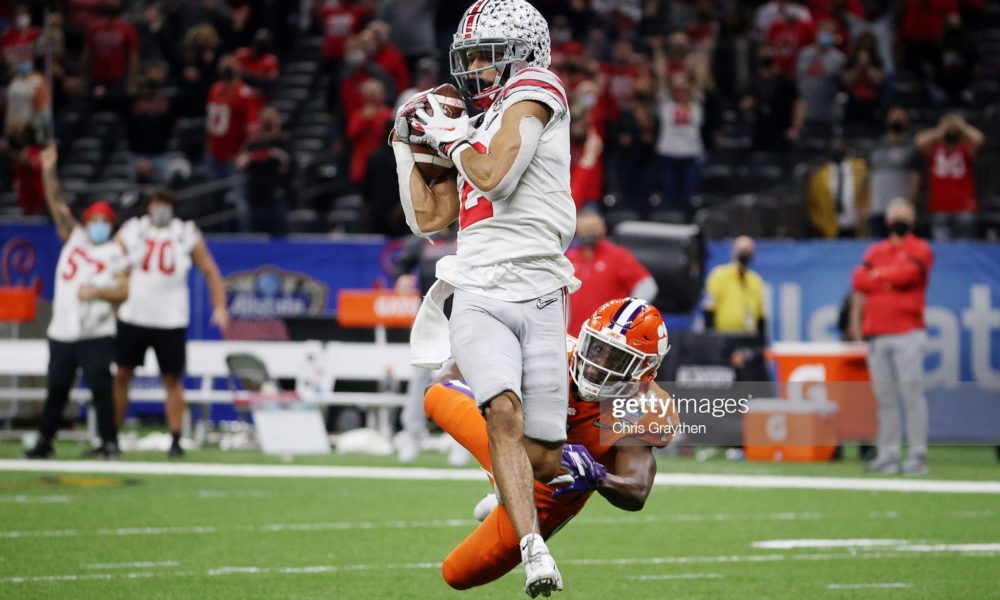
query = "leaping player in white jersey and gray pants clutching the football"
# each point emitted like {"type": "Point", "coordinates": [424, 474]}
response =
{"type": "Point", "coordinates": [510, 277]}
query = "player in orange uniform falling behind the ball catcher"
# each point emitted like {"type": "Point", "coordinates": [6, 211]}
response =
{"type": "Point", "coordinates": [617, 355]}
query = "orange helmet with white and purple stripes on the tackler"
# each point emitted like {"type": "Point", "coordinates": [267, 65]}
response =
{"type": "Point", "coordinates": [620, 346]}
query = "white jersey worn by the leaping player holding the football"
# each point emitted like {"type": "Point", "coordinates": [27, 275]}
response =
{"type": "Point", "coordinates": [514, 248]}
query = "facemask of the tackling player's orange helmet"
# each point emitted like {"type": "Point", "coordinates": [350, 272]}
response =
{"type": "Point", "coordinates": [605, 368]}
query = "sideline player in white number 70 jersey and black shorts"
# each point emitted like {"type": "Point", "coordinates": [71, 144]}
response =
{"type": "Point", "coordinates": [162, 249]}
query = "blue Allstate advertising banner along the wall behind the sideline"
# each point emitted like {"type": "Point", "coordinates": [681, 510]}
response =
{"type": "Point", "coordinates": [806, 283]}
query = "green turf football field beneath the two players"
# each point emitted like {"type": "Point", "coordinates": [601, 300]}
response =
{"type": "Point", "coordinates": [160, 536]}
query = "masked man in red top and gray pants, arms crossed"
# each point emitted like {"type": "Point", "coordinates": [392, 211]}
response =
{"type": "Point", "coordinates": [893, 281]}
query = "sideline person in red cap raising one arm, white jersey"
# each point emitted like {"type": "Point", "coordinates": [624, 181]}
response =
{"type": "Point", "coordinates": [91, 280]}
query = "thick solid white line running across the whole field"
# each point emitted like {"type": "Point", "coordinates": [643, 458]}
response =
{"type": "Point", "coordinates": [427, 474]}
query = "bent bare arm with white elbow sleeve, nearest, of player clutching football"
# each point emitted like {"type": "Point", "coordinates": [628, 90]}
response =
{"type": "Point", "coordinates": [496, 173]}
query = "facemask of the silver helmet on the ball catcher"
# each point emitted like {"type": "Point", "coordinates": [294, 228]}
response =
{"type": "Point", "coordinates": [505, 55]}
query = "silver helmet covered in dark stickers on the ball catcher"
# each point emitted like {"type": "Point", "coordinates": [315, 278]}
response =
{"type": "Point", "coordinates": [509, 35]}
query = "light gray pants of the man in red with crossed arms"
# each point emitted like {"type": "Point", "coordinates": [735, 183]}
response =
{"type": "Point", "coordinates": [896, 365]}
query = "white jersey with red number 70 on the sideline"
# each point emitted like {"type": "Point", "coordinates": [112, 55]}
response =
{"type": "Point", "coordinates": [161, 259]}
